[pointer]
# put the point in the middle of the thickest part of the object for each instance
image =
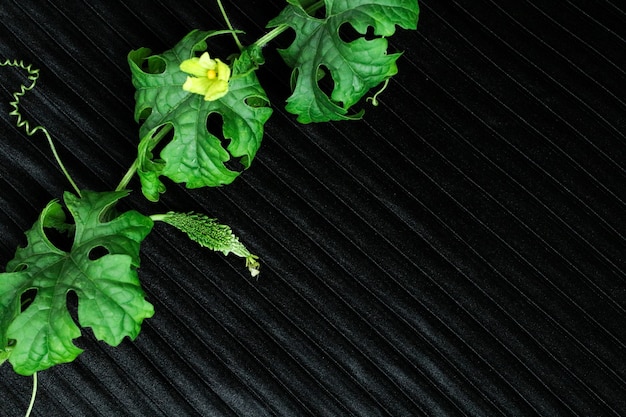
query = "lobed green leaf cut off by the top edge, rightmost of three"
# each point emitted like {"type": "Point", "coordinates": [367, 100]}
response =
{"type": "Point", "coordinates": [355, 67]}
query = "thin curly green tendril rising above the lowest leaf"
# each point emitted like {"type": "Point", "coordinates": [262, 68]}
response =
{"type": "Point", "coordinates": [33, 76]}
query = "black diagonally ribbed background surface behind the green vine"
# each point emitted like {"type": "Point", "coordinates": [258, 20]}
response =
{"type": "Point", "coordinates": [458, 252]}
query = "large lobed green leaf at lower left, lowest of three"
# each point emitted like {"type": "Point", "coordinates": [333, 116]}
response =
{"type": "Point", "coordinates": [100, 268]}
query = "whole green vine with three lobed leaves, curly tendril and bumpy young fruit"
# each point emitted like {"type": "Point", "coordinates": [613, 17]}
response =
{"type": "Point", "coordinates": [176, 141]}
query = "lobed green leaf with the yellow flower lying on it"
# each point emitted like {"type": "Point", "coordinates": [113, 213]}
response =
{"type": "Point", "coordinates": [194, 155]}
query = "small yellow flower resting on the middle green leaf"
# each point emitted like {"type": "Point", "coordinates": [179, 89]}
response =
{"type": "Point", "coordinates": [210, 76]}
